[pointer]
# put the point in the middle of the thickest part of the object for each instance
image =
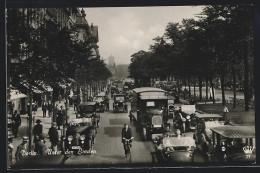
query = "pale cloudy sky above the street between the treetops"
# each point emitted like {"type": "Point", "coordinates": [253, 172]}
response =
{"type": "Point", "coordinates": [124, 31]}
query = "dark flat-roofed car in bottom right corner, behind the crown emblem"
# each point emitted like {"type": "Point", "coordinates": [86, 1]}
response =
{"type": "Point", "coordinates": [232, 144]}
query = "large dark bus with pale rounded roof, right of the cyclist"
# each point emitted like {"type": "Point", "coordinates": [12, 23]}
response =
{"type": "Point", "coordinates": [149, 107]}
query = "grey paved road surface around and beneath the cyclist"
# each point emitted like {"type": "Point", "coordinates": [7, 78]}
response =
{"type": "Point", "coordinates": [108, 146]}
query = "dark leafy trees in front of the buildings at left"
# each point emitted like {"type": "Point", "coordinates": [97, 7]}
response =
{"type": "Point", "coordinates": [49, 55]}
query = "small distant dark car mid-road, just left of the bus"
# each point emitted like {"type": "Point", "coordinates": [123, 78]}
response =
{"type": "Point", "coordinates": [119, 103]}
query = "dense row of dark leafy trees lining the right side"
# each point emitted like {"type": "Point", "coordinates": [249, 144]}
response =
{"type": "Point", "coordinates": [217, 46]}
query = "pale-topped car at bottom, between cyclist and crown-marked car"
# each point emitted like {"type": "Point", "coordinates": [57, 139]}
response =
{"type": "Point", "coordinates": [175, 149]}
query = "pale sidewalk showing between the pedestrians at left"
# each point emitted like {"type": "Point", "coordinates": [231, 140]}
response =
{"type": "Point", "coordinates": [46, 122]}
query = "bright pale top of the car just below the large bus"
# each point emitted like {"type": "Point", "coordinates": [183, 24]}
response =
{"type": "Point", "coordinates": [178, 142]}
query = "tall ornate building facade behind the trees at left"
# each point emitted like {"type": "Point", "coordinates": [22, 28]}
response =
{"type": "Point", "coordinates": [36, 17]}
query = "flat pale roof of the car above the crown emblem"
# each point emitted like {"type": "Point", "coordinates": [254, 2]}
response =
{"type": "Point", "coordinates": [229, 131]}
